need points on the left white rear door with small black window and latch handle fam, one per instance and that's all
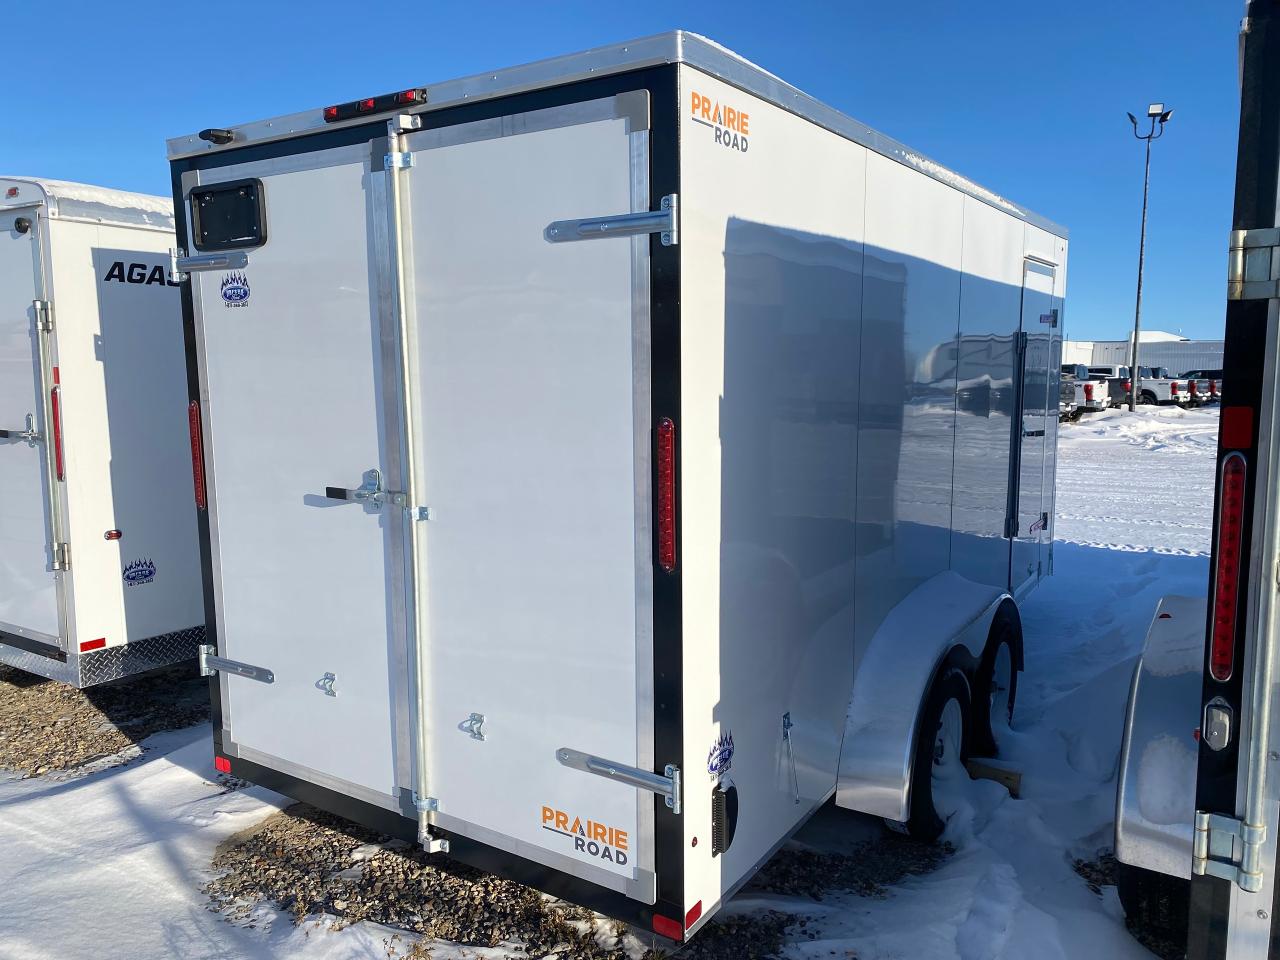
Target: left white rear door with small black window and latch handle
(296, 449)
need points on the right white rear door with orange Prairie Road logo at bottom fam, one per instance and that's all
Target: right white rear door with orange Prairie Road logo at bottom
(533, 413)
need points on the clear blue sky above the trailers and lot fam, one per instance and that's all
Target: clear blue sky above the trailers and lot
(1027, 99)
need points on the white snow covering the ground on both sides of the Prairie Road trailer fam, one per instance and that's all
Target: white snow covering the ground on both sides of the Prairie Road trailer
(111, 865)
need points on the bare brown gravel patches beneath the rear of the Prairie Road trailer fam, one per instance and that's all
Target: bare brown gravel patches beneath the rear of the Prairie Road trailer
(310, 863)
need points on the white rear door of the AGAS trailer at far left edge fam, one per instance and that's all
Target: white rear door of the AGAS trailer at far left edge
(29, 587)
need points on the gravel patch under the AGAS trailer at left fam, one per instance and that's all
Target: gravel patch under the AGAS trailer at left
(47, 728)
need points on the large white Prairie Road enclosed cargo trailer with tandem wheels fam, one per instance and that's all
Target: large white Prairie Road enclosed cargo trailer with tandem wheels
(610, 461)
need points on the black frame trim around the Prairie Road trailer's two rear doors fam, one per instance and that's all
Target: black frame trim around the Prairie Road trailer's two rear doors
(662, 84)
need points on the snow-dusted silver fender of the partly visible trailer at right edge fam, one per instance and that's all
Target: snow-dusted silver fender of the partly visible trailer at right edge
(1156, 789)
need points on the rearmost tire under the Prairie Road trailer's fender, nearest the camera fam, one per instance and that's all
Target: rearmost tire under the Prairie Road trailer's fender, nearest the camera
(941, 751)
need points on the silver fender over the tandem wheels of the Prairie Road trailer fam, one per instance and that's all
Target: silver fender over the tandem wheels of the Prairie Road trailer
(945, 620)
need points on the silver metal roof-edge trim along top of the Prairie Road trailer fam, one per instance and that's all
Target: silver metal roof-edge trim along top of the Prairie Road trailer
(675, 47)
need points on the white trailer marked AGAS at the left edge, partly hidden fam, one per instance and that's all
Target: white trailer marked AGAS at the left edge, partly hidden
(99, 552)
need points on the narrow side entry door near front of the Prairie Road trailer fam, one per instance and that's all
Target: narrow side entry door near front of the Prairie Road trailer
(1037, 404)
